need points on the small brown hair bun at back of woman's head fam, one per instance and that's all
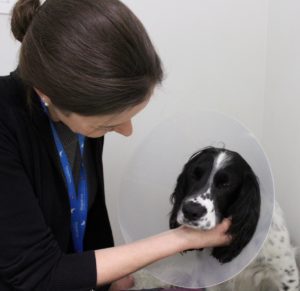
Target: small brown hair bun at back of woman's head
(22, 15)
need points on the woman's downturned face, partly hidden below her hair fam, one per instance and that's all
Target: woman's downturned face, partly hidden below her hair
(96, 126)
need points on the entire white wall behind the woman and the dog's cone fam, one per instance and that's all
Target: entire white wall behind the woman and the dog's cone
(215, 54)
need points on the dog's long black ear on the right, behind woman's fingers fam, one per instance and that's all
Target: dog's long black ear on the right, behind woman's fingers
(244, 213)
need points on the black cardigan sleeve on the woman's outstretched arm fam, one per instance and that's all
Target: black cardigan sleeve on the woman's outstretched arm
(30, 257)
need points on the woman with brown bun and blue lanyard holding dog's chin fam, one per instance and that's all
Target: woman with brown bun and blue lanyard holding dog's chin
(85, 68)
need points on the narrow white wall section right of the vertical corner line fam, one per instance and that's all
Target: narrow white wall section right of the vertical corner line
(281, 128)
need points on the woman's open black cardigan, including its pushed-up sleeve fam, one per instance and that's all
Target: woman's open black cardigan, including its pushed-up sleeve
(35, 235)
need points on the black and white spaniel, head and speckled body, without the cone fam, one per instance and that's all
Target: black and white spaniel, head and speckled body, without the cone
(217, 183)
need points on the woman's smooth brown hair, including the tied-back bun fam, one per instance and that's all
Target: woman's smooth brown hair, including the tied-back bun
(91, 57)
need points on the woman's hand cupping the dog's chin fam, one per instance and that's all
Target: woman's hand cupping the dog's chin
(208, 238)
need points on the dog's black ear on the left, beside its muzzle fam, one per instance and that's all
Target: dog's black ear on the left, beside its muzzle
(176, 198)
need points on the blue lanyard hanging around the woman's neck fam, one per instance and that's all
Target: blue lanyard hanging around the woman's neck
(78, 203)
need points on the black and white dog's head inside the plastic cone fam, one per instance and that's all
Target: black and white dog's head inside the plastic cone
(217, 183)
